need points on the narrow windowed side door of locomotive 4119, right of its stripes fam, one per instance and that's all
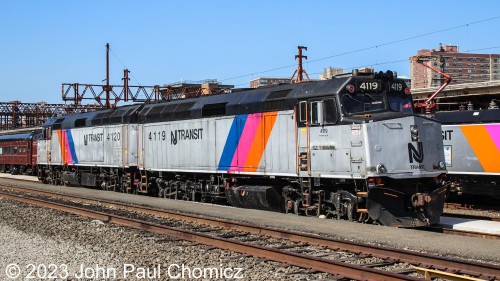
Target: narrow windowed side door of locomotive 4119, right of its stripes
(303, 163)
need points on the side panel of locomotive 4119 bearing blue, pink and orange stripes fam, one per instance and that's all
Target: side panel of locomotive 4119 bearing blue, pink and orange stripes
(260, 143)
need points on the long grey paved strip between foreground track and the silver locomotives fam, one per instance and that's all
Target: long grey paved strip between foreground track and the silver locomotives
(410, 239)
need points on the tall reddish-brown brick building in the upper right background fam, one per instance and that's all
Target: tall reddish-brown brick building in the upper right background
(462, 67)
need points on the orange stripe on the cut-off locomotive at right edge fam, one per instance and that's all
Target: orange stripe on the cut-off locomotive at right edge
(483, 146)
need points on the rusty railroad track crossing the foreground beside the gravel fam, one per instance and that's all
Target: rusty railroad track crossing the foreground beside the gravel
(303, 250)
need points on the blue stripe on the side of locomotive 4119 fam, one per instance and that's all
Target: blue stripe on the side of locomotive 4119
(232, 142)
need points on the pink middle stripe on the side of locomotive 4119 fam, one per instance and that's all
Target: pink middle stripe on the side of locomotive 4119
(245, 142)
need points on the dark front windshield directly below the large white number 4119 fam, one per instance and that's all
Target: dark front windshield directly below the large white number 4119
(363, 103)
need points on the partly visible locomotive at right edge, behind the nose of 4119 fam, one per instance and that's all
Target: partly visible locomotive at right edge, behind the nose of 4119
(472, 150)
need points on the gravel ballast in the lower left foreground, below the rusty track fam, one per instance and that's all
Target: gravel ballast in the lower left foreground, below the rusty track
(43, 241)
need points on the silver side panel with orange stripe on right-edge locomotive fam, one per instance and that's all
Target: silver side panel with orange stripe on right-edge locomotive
(472, 149)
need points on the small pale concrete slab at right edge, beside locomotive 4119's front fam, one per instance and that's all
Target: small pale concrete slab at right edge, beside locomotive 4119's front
(482, 226)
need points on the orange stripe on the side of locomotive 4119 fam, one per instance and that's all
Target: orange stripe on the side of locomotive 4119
(259, 142)
